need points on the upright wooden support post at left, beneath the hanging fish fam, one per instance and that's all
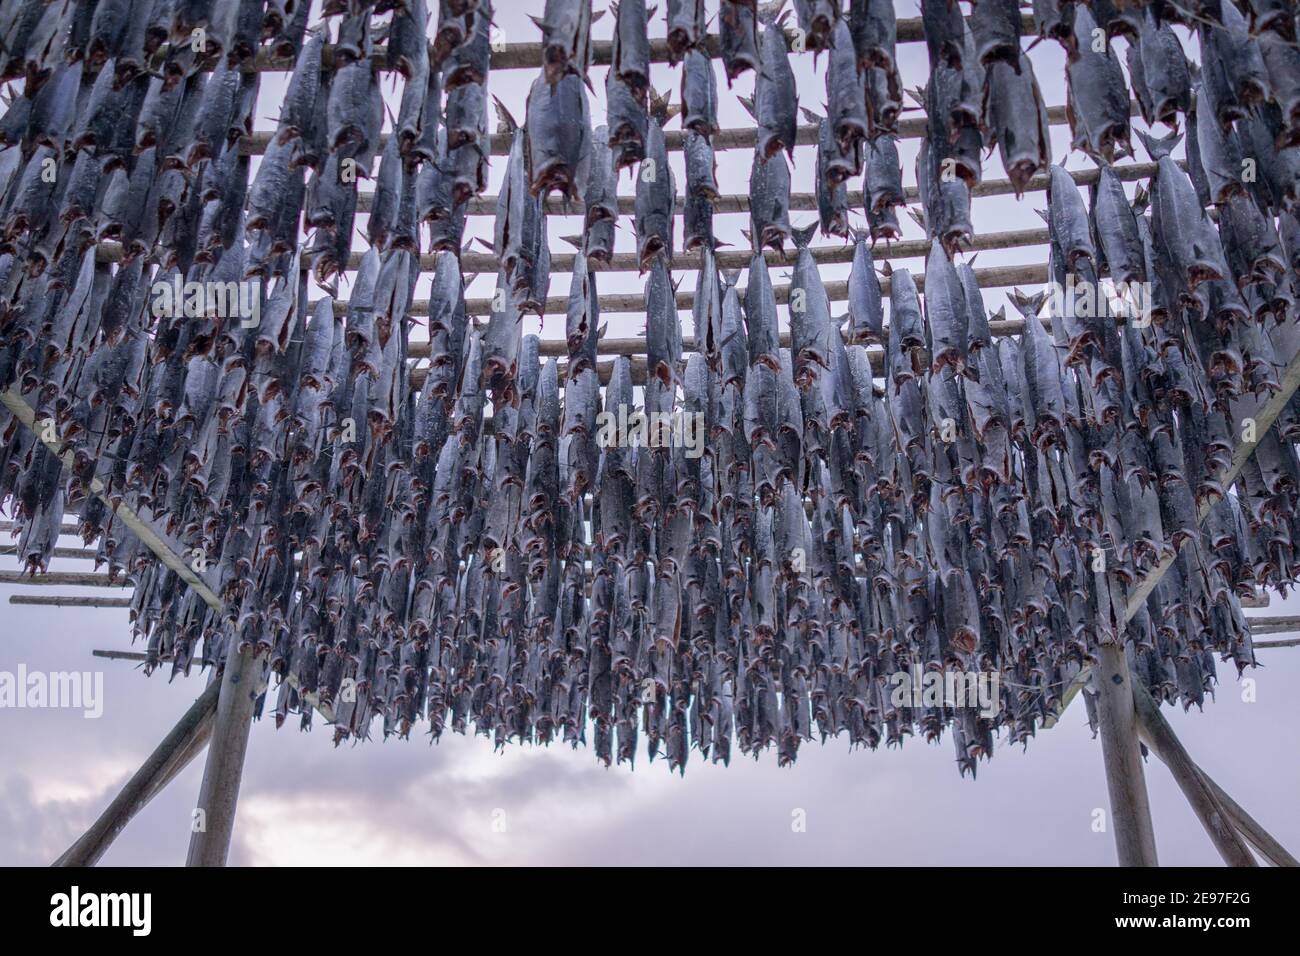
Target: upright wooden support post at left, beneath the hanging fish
(210, 843)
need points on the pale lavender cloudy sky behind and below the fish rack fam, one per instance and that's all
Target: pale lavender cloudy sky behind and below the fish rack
(463, 803)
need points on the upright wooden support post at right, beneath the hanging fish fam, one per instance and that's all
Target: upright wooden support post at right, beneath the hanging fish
(1130, 807)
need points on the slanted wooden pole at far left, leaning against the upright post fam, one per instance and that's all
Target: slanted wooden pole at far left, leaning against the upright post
(170, 759)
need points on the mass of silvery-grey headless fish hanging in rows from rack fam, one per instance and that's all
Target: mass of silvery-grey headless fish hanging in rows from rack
(402, 555)
